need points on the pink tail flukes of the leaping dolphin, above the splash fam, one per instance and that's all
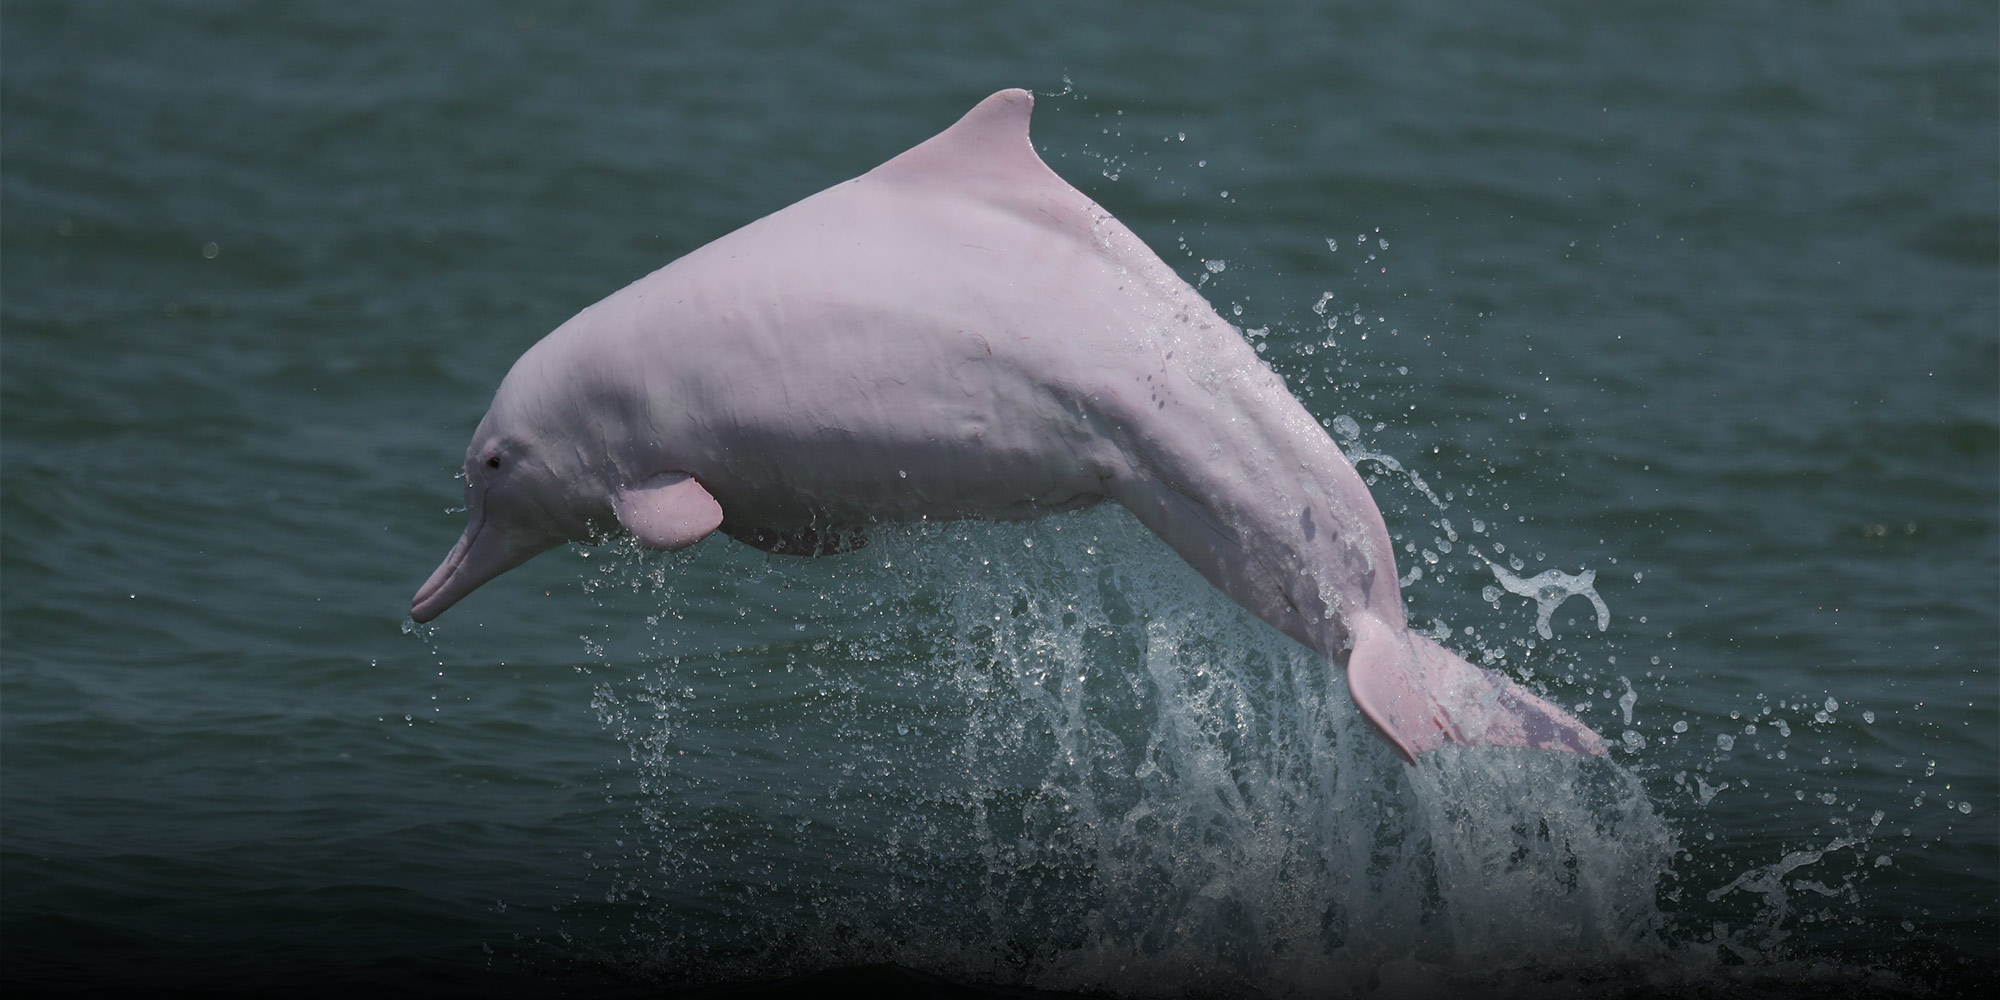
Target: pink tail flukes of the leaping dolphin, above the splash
(1421, 695)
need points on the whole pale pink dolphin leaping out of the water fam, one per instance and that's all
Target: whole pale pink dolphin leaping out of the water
(959, 335)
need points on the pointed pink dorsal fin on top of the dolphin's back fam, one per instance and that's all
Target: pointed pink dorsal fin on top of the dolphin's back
(987, 147)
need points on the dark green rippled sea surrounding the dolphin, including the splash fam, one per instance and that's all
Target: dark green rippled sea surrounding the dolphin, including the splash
(1697, 297)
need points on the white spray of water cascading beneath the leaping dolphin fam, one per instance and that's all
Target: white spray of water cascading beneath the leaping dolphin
(1085, 769)
